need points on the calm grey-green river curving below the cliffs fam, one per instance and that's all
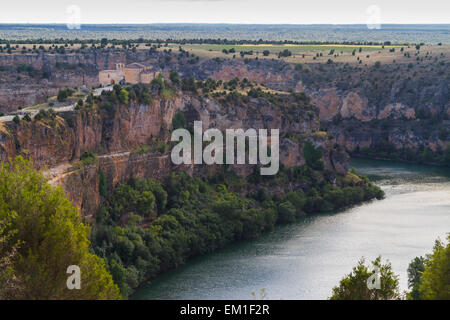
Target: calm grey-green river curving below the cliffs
(304, 260)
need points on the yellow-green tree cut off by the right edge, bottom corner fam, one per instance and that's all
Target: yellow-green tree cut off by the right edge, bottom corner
(435, 279)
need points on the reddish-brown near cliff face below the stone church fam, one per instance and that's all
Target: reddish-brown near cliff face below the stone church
(117, 138)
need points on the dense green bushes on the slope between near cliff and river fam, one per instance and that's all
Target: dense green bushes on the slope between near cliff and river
(147, 227)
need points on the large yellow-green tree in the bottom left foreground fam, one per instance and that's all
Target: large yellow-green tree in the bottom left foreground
(51, 235)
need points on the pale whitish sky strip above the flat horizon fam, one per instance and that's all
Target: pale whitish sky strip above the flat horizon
(227, 11)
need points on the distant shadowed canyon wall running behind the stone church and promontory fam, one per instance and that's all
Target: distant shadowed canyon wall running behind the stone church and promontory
(342, 93)
